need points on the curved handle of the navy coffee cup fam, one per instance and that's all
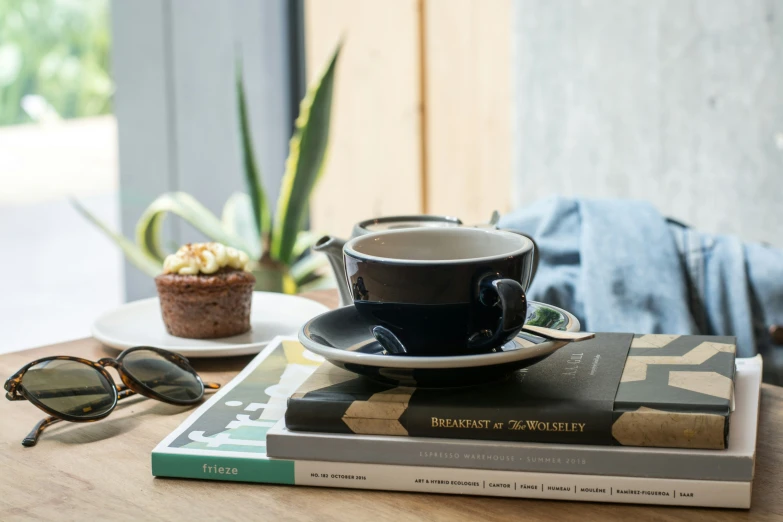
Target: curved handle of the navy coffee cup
(509, 296)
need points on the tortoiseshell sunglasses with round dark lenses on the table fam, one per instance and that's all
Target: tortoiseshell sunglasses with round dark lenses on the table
(78, 390)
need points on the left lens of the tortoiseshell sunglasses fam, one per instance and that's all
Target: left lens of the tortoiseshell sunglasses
(70, 387)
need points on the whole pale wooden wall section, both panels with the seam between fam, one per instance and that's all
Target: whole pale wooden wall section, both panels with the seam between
(421, 121)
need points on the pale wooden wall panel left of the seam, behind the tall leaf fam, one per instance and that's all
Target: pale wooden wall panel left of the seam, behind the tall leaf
(374, 161)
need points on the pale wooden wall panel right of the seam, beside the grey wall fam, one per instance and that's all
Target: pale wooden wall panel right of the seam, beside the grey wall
(468, 107)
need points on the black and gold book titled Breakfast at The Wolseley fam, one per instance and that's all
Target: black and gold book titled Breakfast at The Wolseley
(655, 390)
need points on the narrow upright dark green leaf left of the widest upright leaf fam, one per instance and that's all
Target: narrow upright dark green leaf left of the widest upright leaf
(255, 187)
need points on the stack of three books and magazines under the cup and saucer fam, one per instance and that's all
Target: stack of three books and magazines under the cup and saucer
(679, 428)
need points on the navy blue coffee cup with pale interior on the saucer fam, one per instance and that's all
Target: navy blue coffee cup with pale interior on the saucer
(440, 291)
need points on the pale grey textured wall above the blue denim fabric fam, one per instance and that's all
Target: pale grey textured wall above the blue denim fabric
(679, 102)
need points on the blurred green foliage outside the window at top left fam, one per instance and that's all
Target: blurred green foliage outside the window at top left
(54, 60)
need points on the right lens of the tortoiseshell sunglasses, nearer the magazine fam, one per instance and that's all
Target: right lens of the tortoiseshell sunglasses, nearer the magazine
(163, 376)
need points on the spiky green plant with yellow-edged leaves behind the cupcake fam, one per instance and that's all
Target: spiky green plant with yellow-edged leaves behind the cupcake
(278, 244)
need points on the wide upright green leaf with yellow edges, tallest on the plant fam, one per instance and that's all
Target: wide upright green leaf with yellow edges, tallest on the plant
(307, 151)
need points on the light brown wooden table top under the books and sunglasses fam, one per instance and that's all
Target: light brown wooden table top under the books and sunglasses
(101, 471)
